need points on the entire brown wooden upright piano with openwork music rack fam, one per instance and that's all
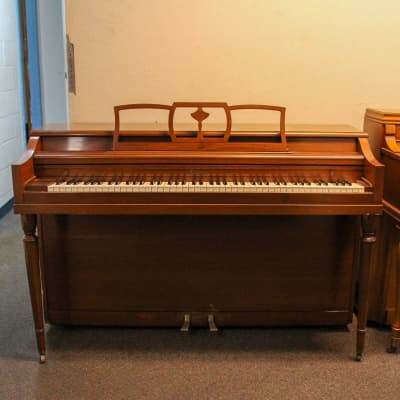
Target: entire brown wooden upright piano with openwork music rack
(244, 225)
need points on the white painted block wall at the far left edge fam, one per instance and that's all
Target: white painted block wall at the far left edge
(11, 131)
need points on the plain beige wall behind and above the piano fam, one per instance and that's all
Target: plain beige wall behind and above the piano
(326, 61)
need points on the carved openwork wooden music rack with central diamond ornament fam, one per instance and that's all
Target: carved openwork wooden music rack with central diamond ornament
(200, 139)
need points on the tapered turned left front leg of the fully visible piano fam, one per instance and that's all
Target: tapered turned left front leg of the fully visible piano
(34, 279)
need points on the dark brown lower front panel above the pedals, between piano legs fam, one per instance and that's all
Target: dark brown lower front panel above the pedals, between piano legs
(147, 270)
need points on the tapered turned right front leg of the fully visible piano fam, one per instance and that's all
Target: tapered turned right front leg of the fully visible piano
(368, 238)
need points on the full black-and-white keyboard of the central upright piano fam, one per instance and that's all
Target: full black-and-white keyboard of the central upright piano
(79, 185)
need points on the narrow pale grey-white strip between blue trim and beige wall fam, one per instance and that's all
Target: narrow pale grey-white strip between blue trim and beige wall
(51, 38)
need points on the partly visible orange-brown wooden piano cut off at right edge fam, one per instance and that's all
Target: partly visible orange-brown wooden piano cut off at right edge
(383, 127)
